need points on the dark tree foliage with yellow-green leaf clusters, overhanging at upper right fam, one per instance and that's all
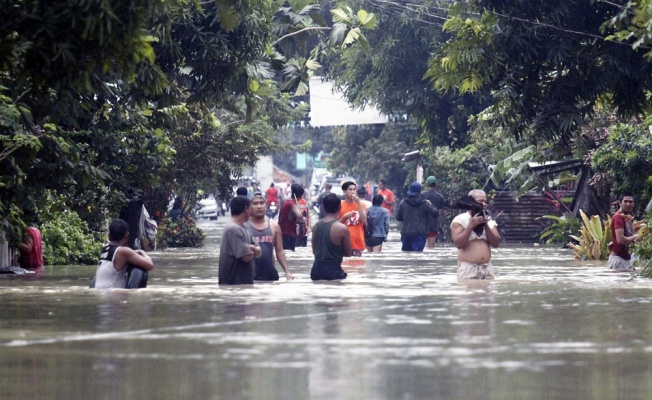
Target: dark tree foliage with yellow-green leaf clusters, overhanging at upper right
(546, 64)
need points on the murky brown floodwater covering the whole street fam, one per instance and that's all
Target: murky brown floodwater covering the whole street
(400, 327)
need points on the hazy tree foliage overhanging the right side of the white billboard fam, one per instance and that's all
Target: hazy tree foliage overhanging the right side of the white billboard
(390, 75)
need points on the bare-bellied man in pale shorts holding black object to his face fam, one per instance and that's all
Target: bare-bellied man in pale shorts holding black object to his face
(474, 233)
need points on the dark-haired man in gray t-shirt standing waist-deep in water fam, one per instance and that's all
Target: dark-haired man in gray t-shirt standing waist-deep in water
(238, 248)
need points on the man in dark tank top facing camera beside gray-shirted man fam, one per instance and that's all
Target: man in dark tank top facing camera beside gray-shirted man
(268, 236)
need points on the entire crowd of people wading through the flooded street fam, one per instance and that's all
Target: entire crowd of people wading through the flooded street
(252, 242)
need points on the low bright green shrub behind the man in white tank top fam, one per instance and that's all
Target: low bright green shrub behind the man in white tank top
(67, 239)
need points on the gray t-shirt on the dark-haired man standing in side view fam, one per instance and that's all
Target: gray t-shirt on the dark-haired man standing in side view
(235, 245)
